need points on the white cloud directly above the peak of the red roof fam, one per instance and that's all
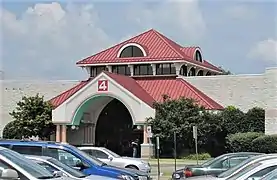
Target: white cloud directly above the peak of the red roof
(183, 16)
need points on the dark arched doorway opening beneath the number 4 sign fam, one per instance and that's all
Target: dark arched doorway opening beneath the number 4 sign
(115, 130)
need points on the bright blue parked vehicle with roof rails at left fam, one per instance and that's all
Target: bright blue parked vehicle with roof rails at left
(70, 156)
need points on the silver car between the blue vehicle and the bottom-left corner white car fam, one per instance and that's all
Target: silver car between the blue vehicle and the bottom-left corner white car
(56, 167)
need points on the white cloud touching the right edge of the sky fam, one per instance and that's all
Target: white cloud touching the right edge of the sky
(265, 50)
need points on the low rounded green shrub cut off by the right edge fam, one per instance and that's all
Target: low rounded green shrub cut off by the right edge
(265, 144)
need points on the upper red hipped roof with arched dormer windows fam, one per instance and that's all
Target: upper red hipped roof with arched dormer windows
(157, 46)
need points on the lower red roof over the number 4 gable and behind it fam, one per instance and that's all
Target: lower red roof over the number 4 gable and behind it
(149, 90)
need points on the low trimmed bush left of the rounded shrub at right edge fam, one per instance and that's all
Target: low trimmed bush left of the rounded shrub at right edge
(241, 142)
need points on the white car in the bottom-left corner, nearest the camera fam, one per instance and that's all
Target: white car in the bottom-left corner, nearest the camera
(15, 166)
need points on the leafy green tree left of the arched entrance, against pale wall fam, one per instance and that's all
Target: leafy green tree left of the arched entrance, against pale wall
(33, 117)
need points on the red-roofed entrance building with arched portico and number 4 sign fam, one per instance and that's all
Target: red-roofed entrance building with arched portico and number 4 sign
(110, 108)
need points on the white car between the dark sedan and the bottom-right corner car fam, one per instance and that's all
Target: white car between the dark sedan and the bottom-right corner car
(255, 170)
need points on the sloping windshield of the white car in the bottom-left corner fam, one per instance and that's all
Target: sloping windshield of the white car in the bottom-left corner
(27, 165)
